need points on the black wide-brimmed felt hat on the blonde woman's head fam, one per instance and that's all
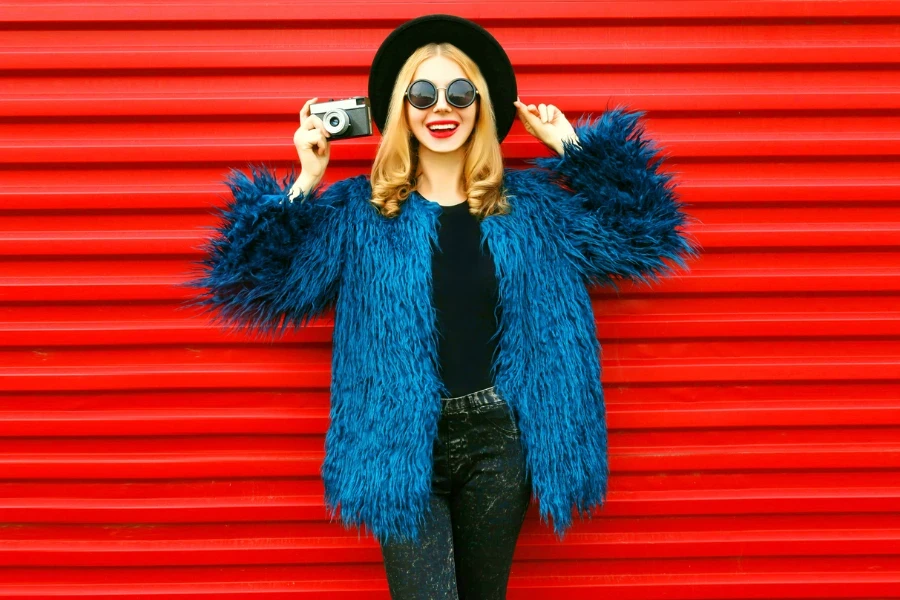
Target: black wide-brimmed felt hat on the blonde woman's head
(469, 37)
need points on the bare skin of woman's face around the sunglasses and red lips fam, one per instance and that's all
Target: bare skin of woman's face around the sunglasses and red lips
(441, 71)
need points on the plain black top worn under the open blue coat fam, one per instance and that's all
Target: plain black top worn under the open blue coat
(465, 298)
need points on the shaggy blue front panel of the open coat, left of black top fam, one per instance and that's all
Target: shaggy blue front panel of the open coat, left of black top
(386, 403)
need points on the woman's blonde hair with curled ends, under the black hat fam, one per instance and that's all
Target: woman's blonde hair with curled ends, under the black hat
(395, 168)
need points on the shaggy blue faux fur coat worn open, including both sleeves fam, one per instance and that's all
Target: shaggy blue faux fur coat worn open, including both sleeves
(600, 212)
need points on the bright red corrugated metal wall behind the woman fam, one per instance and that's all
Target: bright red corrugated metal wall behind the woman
(754, 403)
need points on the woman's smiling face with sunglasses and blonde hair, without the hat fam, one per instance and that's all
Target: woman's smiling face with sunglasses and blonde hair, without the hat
(439, 84)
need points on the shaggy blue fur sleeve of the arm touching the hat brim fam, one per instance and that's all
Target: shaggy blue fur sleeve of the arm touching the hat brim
(618, 210)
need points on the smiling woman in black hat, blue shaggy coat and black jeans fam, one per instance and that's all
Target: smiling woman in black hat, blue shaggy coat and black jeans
(465, 373)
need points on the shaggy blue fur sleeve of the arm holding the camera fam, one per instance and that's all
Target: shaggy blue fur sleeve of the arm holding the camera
(271, 261)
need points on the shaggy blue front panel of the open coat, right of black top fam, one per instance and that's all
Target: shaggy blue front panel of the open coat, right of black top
(548, 355)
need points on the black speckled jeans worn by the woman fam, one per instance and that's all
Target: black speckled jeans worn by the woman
(480, 494)
